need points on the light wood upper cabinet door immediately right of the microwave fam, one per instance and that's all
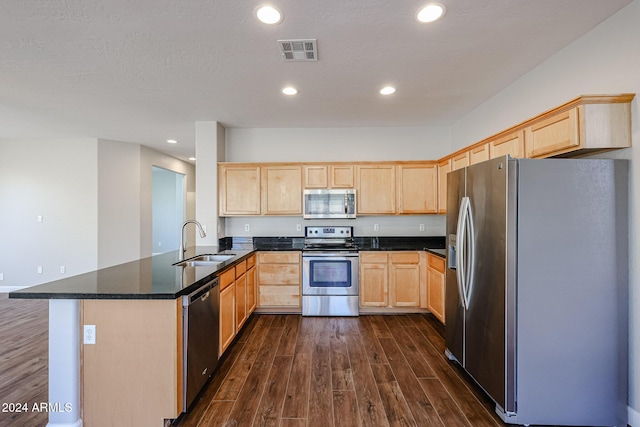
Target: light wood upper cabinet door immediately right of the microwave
(376, 186)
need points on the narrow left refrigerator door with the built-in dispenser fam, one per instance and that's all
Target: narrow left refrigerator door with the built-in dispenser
(454, 311)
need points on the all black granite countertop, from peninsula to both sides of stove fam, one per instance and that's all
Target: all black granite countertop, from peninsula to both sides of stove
(157, 278)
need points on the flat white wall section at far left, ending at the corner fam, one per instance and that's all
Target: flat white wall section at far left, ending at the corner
(55, 179)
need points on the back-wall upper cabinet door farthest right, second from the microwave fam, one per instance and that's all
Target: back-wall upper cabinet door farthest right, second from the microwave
(417, 189)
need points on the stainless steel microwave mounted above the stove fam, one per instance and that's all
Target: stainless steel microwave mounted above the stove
(334, 203)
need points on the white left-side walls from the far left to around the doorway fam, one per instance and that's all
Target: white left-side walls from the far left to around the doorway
(95, 200)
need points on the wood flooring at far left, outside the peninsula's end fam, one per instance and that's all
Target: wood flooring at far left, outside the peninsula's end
(24, 354)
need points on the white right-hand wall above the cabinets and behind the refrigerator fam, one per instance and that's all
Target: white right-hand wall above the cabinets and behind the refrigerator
(604, 61)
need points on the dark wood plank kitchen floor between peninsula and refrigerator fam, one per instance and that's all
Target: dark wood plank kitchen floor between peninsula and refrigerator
(290, 371)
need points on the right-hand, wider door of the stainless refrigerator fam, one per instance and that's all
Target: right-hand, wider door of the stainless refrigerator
(485, 318)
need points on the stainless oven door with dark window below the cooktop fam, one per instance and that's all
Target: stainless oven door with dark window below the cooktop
(329, 273)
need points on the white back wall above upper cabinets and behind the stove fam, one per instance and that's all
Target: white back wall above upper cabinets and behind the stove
(337, 144)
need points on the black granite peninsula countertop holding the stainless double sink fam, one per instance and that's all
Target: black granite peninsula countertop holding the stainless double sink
(149, 278)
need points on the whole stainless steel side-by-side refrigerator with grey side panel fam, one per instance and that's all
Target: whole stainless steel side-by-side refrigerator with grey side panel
(537, 285)
